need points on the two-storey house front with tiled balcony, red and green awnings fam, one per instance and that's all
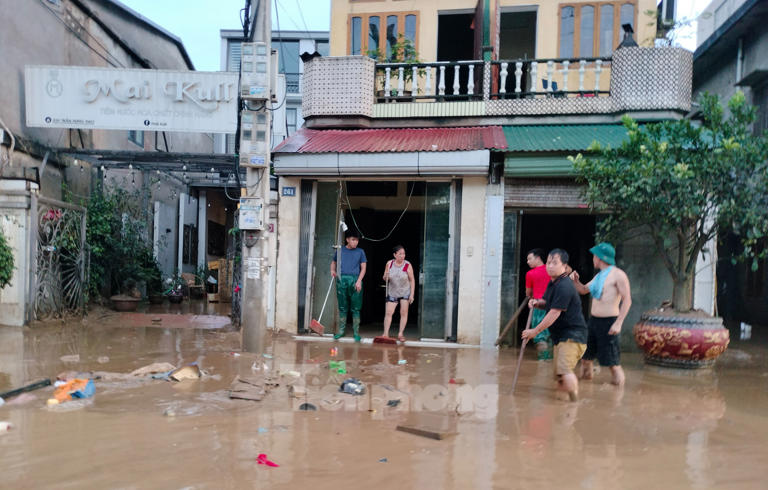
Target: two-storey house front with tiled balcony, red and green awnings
(458, 151)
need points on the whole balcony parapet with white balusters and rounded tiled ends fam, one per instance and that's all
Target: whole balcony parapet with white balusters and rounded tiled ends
(632, 79)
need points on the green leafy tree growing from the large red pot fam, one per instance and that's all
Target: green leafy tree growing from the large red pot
(685, 183)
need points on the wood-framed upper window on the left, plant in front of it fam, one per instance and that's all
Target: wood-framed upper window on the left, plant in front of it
(375, 34)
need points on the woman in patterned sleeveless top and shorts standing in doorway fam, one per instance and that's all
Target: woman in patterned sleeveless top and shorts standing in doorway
(401, 287)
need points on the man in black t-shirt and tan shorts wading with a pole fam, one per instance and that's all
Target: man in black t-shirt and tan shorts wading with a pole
(564, 320)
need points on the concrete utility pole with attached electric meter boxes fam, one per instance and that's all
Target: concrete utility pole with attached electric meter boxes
(255, 251)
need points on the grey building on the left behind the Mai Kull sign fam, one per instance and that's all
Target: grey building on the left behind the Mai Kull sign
(38, 163)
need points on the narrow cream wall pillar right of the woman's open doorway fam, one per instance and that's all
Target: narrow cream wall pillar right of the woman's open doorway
(471, 266)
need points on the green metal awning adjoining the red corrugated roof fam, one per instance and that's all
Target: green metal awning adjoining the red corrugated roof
(542, 151)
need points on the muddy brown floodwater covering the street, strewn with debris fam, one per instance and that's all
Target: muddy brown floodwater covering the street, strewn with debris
(663, 430)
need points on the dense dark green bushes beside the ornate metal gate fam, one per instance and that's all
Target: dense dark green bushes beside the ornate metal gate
(119, 242)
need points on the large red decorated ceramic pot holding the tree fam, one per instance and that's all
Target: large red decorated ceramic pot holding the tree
(689, 341)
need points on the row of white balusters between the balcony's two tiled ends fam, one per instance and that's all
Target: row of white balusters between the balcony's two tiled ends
(465, 80)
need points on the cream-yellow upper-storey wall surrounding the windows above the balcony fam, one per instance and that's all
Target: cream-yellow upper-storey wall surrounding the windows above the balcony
(548, 21)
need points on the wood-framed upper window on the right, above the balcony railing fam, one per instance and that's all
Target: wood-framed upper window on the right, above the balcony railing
(593, 29)
